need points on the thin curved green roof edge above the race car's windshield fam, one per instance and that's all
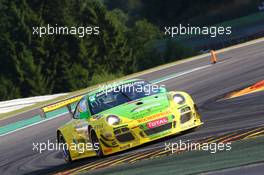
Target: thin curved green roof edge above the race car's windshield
(111, 85)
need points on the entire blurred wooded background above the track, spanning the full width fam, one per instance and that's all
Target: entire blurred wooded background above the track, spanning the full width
(131, 39)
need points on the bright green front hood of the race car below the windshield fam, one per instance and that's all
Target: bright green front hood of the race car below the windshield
(141, 107)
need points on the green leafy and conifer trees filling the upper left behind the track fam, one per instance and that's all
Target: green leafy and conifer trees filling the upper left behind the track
(32, 65)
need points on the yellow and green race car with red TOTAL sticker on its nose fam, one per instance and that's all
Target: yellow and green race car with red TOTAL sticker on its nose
(124, 115)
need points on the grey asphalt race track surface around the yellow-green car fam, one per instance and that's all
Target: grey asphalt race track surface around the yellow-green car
(236, 69)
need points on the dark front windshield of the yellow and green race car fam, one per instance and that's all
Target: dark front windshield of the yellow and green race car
(118, 95)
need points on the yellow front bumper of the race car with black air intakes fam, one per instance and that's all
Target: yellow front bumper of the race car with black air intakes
(138, 132)
